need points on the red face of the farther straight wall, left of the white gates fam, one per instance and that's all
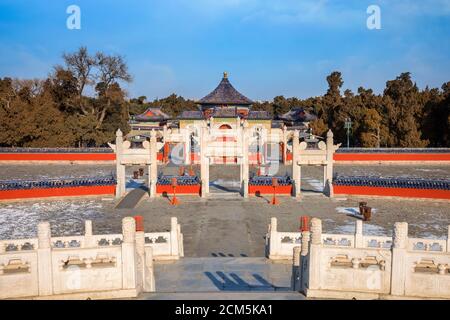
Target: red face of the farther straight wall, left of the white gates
(57, 157)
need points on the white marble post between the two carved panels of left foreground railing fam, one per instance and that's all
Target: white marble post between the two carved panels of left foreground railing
(44, 258)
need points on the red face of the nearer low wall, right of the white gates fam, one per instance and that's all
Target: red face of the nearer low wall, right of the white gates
(392, 192)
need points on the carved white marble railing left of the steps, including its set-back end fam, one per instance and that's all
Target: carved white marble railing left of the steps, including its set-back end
(81, 266)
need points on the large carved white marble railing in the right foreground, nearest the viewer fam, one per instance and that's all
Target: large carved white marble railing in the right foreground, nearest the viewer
(364, 266)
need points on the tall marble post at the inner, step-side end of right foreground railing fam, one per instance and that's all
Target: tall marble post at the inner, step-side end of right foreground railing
(313, 281)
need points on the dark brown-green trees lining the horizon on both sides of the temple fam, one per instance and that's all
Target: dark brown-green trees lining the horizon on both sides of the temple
(59, 112)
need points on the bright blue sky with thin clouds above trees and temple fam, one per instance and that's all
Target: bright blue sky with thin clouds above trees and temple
(268, 47)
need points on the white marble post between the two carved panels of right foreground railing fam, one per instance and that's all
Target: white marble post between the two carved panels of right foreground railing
(399, 251)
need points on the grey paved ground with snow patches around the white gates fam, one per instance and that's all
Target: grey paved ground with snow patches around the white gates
(231, 227)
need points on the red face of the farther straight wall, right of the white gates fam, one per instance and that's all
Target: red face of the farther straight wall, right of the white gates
(391, 157)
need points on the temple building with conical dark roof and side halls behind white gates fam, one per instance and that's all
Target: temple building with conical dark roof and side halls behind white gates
(225, 110)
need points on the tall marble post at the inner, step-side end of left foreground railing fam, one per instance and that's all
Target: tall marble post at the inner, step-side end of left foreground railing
(129, 269)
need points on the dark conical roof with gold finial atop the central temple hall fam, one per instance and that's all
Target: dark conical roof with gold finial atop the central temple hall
(225, 94)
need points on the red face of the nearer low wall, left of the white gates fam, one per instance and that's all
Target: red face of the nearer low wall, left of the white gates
(57, 192)
